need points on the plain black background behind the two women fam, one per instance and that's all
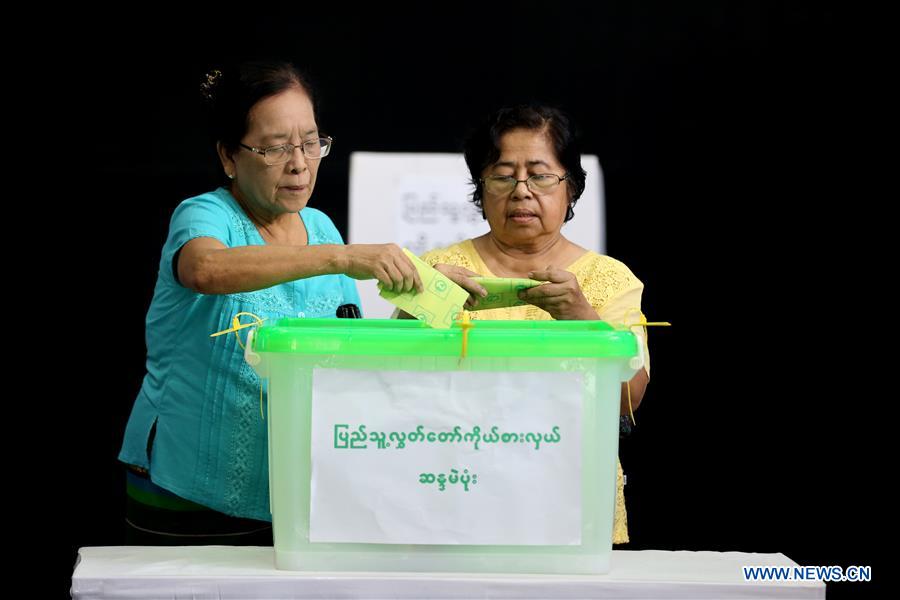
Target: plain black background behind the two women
(736, 189)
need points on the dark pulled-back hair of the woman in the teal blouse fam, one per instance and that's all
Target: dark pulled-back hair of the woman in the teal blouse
(230, 93)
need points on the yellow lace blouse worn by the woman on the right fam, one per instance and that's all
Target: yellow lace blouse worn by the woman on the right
(609, 286)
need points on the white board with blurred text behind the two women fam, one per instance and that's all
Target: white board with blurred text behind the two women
(423, 201)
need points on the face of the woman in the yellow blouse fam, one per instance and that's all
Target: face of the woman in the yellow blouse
(523, 216)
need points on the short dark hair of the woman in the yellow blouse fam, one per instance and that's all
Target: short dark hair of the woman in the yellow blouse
(482, 147)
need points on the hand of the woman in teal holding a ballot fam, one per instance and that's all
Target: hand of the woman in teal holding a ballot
(385, 262)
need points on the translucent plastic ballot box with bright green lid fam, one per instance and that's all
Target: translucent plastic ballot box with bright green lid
(289, 352)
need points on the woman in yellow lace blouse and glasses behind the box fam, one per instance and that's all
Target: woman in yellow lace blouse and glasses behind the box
(526, 168)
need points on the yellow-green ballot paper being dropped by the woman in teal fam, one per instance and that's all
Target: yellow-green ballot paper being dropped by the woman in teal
(438, 305)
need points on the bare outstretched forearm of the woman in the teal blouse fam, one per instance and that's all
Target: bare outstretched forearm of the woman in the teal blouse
(250, 268)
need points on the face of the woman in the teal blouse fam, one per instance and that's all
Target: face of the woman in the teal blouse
(276, 189)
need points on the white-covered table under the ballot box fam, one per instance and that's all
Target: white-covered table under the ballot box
(219, 572)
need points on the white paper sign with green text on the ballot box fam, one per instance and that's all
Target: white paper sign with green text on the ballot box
(375, 481)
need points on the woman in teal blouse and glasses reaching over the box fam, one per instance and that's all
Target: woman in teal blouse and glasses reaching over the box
(195, 444)
